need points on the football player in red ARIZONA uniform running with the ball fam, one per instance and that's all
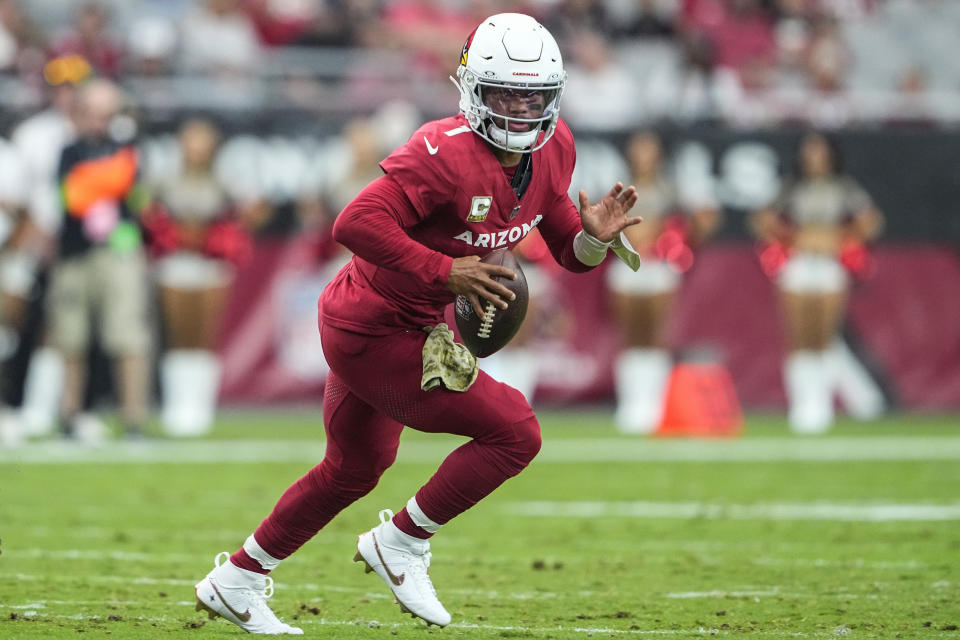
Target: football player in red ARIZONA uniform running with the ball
(496, 170)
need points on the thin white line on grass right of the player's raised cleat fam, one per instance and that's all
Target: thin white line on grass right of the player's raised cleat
(836, 511)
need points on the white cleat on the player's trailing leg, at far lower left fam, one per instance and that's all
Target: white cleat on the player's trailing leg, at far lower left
(245, 605)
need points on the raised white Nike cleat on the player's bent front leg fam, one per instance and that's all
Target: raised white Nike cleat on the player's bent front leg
(403, 562)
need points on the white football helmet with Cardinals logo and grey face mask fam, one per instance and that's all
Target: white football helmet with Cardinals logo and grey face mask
(511, 57)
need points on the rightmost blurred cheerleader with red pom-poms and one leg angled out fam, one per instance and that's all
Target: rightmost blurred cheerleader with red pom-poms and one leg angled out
(815, 233)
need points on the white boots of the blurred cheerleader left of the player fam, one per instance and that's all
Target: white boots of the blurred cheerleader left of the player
(190, 381)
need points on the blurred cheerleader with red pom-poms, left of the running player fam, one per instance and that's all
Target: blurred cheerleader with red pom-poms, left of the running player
(192, 232)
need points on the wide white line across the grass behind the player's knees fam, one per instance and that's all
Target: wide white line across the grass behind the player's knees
(606, 449)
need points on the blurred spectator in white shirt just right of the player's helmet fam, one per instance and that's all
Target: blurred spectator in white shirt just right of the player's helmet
(602, 95)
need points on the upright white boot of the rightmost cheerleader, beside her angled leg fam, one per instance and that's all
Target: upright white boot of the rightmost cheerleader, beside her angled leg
(809, 391)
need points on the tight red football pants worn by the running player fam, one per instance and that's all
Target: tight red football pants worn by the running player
(373, 389)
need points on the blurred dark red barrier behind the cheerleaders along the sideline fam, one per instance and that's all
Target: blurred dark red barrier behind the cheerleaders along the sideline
(905, 317)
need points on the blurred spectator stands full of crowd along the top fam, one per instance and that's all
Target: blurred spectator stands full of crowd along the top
(741, 62)
